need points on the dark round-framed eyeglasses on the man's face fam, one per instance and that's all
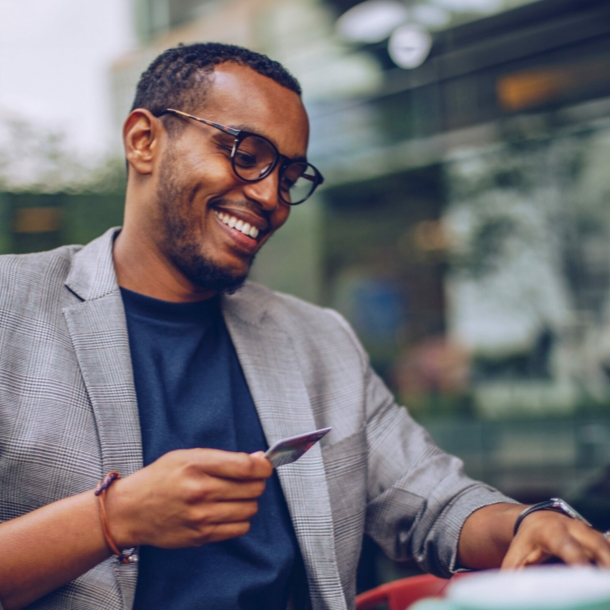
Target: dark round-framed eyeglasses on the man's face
(253, 158)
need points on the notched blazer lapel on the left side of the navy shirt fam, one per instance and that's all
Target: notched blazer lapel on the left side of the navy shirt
(98, 330)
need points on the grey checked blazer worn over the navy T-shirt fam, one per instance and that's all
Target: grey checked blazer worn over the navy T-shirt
(68, 414)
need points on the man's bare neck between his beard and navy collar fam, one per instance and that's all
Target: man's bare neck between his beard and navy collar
(142, 268)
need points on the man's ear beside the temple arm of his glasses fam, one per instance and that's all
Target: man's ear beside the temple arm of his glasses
(142, 134)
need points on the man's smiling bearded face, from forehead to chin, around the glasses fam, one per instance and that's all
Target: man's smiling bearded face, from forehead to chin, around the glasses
(201, 201)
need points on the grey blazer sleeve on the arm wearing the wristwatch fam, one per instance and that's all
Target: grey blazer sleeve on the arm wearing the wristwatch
(418, 496)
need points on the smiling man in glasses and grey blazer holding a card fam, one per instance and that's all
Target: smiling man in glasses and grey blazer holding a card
(133, 355)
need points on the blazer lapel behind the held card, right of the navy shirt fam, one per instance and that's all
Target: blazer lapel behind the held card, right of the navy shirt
(279, 393)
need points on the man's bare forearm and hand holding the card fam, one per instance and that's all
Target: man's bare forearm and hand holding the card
(185, 498)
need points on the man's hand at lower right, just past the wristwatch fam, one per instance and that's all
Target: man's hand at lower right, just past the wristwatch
(545, 534)
